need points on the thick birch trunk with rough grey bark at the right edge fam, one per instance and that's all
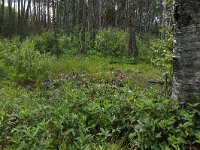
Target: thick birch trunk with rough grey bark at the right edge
(186, 58)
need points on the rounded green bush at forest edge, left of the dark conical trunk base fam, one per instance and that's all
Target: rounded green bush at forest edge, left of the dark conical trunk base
(112, 42)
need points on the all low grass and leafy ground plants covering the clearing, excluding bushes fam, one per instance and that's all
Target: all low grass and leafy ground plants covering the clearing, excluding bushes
(91, 103)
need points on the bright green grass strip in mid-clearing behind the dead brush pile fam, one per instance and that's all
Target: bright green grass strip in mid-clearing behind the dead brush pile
(102, 69)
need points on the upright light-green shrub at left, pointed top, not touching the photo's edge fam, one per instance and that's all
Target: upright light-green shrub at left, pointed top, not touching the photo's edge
(30, 65)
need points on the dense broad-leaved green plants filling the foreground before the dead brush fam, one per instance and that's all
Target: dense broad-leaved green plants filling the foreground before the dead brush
(85, 116)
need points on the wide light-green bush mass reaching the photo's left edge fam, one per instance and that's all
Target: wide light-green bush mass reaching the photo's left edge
(24, 63)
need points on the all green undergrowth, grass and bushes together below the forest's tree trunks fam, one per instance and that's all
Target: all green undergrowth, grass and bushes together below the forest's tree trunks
(93, 100)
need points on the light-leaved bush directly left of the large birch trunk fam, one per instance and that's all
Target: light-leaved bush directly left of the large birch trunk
(157, 52)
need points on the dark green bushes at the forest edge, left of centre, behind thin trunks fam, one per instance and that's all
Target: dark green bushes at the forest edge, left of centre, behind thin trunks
(69, 45)
